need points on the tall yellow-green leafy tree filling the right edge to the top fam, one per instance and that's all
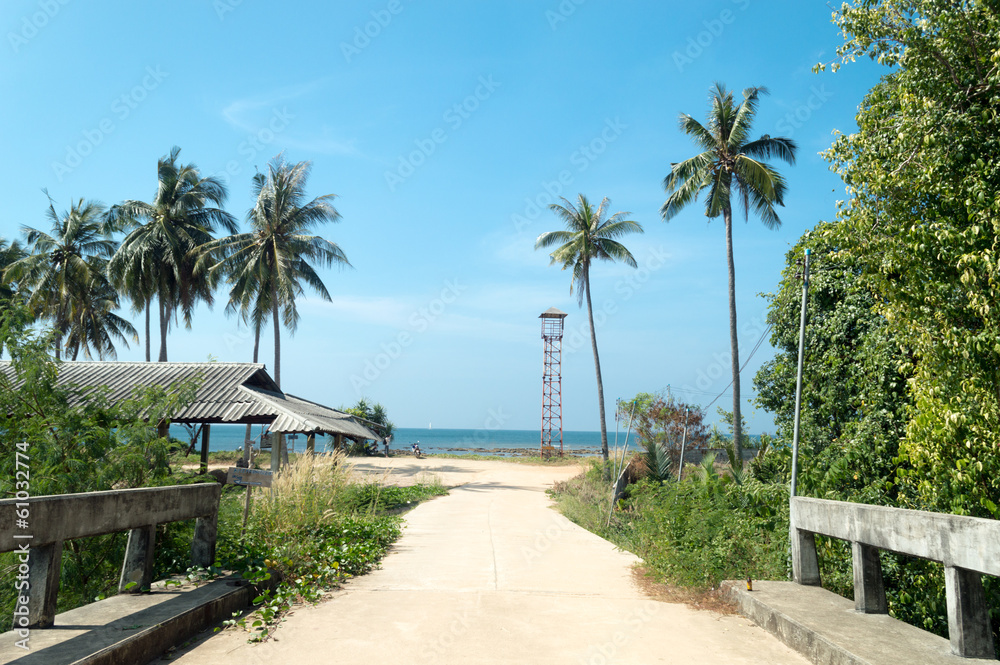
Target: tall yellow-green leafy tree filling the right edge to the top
(921, 229)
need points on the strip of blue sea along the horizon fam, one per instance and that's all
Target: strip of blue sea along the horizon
(496, 442)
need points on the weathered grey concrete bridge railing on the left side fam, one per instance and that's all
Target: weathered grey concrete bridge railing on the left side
(36, 528)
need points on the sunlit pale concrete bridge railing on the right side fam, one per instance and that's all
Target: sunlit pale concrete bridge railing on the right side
(969, 547)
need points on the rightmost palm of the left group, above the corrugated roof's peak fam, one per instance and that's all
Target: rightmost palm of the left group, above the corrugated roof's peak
(267, 266)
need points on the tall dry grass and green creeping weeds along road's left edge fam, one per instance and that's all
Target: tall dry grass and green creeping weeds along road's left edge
(314, 528)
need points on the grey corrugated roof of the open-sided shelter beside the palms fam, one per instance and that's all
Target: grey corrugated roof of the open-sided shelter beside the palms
(229, 393)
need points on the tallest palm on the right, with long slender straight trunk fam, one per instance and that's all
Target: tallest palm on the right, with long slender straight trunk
(730, 168)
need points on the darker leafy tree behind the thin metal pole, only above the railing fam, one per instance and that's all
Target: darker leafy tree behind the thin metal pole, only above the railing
(854, 400)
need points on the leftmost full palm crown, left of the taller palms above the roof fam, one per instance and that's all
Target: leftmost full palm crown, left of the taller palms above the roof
(59, 267)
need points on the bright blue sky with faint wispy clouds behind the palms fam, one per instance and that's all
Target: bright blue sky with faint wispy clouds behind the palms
(445, 129)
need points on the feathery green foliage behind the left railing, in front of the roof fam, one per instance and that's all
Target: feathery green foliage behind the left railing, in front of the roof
(75, 445)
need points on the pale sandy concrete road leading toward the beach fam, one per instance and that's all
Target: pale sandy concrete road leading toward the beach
(492, 574)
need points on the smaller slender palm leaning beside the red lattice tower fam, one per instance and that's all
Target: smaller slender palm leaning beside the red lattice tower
(589, 236)
